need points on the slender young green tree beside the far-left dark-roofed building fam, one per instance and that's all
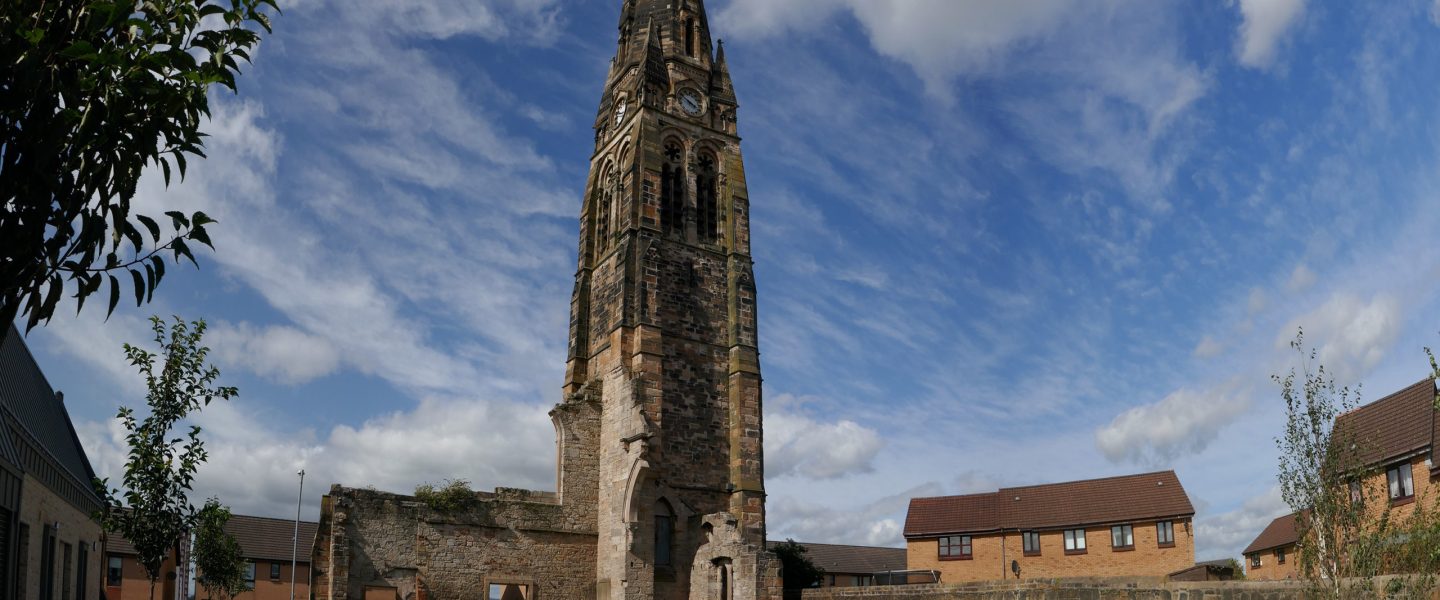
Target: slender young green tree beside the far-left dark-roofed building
(153, 510)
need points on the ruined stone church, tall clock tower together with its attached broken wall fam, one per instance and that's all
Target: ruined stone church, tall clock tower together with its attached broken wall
(662, 470)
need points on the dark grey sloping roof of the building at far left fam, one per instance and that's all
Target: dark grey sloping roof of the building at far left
(38, 415)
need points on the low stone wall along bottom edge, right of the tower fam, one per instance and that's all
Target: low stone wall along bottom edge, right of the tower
(1086, 589)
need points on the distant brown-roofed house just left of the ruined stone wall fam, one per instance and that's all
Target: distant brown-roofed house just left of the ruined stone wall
(267, 546)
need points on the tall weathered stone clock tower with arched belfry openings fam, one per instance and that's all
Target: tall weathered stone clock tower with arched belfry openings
(663, 320)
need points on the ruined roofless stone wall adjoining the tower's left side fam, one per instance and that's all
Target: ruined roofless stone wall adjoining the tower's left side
(372, 543)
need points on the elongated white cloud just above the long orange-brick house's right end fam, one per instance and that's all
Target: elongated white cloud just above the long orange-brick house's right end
(1184, 422)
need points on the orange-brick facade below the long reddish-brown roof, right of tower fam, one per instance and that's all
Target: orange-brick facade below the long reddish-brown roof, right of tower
(993, 555)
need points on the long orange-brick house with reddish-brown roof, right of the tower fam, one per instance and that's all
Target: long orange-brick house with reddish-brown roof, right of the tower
(1128, 526)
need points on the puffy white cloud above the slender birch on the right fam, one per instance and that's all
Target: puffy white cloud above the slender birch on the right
(1350, 335)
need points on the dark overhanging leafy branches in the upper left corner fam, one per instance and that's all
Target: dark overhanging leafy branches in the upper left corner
(93, 94)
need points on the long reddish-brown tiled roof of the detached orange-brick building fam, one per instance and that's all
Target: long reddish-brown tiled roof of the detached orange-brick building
(1053, 506)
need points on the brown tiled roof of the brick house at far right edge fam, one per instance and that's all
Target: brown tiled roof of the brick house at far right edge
(1398, 425)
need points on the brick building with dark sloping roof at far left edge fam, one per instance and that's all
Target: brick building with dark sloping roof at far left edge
(50, 545)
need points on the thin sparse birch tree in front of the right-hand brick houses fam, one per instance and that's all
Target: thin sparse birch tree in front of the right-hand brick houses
(1318, 467)
